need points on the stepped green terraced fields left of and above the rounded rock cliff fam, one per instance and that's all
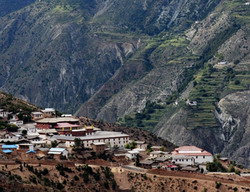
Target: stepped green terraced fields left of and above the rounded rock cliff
(210, 87)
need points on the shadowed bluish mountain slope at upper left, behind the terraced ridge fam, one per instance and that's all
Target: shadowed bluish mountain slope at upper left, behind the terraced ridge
(71, 48)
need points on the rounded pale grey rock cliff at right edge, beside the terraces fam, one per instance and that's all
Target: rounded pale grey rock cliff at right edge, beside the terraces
(234, 117)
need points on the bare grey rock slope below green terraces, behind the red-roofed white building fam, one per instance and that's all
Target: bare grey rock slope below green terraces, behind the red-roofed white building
(174, 129)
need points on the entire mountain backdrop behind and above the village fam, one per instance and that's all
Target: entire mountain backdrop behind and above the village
(120, 59)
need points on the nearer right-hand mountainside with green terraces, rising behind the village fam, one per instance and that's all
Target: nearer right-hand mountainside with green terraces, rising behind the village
(222, 36)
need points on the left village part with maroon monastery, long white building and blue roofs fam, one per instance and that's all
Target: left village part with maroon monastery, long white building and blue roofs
(36, 139)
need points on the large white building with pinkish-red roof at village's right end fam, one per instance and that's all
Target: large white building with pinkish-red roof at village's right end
(197, 154)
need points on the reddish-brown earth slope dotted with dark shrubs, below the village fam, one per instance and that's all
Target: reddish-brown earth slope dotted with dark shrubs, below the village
(68, 177)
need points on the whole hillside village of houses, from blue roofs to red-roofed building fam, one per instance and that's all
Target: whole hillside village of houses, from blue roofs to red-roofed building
(35, 140)
